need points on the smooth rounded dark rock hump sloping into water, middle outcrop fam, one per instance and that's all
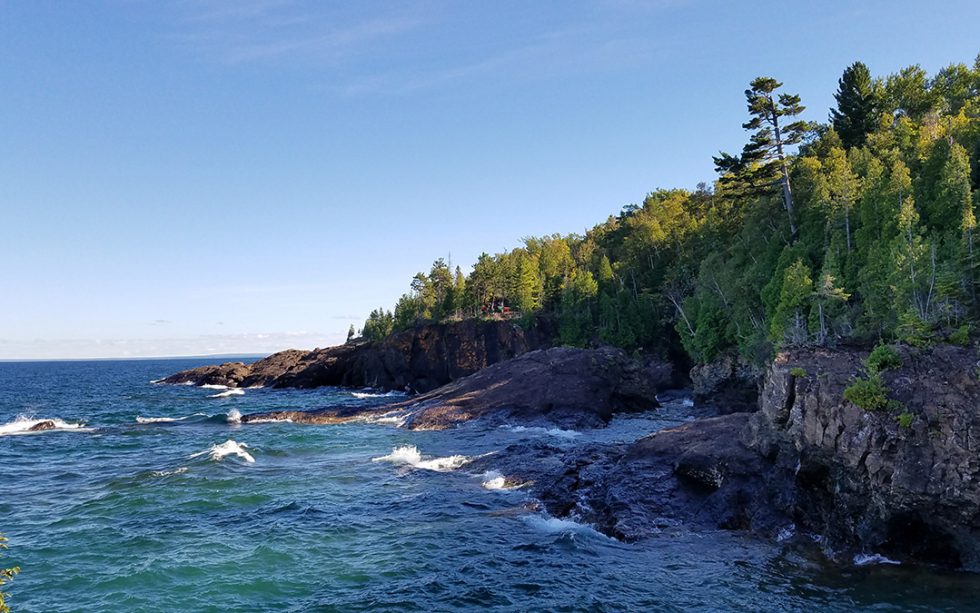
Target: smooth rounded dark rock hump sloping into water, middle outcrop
(580, 388)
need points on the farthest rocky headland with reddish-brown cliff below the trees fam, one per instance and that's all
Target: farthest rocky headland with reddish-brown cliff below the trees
(420, 359)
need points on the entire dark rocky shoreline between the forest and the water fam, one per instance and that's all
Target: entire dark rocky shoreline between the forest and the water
(779, 454)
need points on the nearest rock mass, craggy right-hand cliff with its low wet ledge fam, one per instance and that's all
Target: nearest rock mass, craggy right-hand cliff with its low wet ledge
(860, 481)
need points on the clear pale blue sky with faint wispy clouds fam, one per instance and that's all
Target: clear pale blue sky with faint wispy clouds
(193, 177)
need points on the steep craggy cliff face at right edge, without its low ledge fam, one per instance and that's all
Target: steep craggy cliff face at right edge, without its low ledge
(864, 480)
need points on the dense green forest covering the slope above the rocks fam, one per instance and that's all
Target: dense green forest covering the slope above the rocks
(856, 230)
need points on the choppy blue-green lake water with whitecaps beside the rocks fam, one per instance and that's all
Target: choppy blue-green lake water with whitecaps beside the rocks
(128, 516)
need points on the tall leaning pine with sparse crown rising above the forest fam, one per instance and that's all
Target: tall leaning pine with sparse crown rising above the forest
(763, 161)
